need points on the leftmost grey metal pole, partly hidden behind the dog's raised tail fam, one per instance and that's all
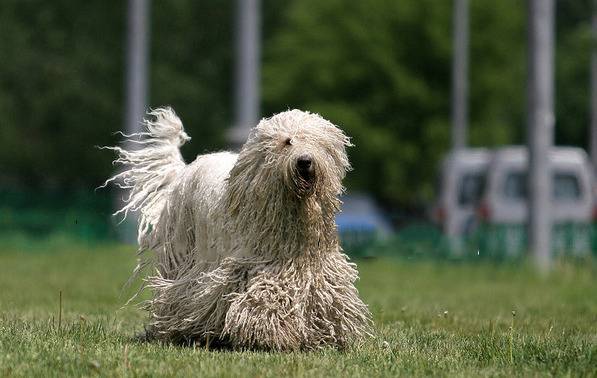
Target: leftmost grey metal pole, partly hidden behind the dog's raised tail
(136, 88)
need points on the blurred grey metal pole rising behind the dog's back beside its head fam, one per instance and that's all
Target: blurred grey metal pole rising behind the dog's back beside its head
(247, 71)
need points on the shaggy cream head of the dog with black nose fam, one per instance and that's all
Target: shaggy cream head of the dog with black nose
(300, 150)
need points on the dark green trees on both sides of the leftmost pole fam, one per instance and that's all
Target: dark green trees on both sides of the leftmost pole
(62, 83)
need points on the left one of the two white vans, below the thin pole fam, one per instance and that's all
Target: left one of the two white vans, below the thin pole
(461, 183)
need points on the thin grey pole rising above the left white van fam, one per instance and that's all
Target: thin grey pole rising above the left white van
(460, 74)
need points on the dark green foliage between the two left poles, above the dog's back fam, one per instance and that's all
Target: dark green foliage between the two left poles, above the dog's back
(191, 68)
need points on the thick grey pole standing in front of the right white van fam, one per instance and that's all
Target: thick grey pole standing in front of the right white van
(540, 120)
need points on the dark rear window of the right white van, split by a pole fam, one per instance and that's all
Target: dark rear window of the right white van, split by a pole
(565, 186)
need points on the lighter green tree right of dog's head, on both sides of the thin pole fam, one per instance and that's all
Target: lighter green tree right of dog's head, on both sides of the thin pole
(381, 70)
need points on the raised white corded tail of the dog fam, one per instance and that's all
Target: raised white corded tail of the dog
(151, 168)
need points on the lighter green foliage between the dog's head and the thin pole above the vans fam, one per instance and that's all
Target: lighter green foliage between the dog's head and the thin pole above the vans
(379, 70)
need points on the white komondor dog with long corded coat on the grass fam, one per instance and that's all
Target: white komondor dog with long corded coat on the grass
(244, 247)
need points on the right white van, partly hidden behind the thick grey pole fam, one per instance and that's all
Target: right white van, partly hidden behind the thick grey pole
(503, 210)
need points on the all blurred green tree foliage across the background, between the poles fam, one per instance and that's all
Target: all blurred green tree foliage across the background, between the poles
(379, 68)
